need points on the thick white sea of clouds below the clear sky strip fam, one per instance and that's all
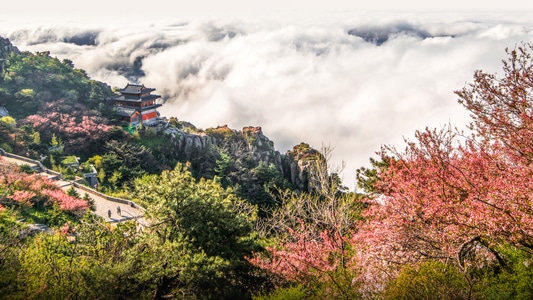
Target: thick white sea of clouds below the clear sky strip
(300, 81)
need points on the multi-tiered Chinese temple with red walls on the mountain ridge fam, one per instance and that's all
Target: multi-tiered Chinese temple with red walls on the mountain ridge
(136, 104)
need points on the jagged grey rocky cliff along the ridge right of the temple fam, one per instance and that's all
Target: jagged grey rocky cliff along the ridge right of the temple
(250, 144)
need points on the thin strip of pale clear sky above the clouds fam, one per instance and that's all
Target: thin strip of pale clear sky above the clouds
(98, 10)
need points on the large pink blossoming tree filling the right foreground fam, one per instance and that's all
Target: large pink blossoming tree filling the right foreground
(448, 196)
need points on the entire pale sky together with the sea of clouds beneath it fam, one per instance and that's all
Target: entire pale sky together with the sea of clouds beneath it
(350, 76)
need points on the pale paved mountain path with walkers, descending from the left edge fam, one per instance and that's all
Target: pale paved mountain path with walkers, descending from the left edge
(113, 210)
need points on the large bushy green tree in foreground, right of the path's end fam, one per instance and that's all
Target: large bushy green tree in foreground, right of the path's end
(203, 234)
